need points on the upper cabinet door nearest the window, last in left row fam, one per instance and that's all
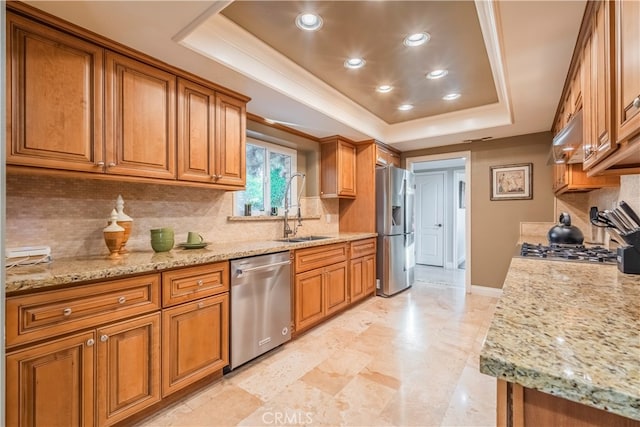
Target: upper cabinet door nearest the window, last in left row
(231, 127)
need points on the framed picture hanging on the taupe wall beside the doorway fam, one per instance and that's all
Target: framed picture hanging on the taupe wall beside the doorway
(512, 182)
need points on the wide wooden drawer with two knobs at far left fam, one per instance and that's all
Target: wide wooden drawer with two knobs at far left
(41, 315)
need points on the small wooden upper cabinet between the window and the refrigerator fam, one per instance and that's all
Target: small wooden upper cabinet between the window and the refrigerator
(337, 168)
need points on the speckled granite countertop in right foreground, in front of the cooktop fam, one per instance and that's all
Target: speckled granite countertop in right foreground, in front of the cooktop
(569, 329)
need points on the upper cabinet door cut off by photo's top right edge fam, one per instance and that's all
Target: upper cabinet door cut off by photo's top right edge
(628, 69)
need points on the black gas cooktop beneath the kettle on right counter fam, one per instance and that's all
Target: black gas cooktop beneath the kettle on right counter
(580, 253)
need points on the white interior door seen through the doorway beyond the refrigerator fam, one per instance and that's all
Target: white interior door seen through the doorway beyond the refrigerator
(430, 218)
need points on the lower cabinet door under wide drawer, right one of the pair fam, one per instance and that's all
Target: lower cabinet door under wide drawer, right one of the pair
(128, 368)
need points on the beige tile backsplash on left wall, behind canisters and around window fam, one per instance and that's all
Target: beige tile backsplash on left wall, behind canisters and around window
(69, 214)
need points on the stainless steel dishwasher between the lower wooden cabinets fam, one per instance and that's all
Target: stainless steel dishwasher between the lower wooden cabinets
(260, 305)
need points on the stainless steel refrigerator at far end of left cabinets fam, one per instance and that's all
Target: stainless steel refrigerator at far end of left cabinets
(395, 196)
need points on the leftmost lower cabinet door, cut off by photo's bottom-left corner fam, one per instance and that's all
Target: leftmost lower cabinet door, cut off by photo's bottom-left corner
(52, 384)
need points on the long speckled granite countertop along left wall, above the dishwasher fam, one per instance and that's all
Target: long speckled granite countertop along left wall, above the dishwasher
(76, 270)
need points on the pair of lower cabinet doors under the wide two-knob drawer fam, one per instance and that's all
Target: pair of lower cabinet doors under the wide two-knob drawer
(114, 369)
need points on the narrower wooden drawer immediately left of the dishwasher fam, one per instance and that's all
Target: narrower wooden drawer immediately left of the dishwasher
(188, 284)
